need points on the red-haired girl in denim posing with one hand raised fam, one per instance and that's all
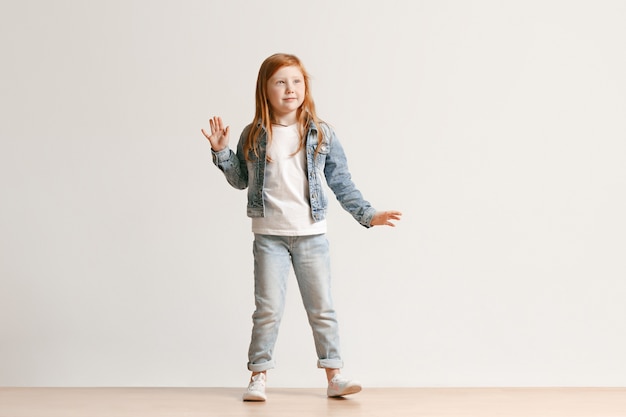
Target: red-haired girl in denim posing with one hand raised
(282, 157)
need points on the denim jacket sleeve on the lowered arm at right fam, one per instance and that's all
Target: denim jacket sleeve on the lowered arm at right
(340, 182)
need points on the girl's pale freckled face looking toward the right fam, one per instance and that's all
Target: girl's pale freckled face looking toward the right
(285, 92)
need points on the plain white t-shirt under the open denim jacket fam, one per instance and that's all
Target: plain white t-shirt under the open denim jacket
(286, 189)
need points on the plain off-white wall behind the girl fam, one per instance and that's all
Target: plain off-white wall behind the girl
(496, 127)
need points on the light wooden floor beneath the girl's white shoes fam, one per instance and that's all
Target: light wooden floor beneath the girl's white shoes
(374, 402)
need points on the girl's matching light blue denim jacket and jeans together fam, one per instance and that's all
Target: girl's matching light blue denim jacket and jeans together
(309, 255)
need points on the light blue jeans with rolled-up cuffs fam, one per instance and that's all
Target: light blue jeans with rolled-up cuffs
(310, 258)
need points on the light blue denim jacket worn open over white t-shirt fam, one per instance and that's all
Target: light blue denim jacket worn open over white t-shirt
(330, 163)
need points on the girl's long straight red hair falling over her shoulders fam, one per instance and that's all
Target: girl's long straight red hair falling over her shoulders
(263, 111)
